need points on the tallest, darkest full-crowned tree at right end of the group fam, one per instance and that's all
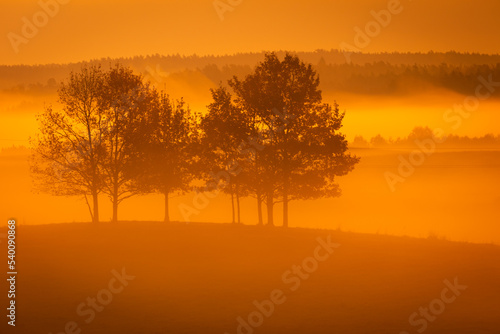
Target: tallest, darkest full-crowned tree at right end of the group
(300, 149)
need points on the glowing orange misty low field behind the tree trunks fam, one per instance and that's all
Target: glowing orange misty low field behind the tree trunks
(454, 194)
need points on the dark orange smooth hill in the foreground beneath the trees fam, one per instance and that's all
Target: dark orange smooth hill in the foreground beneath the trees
(217, 278)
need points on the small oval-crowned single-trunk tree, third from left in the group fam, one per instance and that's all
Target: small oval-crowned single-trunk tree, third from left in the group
(164, 147)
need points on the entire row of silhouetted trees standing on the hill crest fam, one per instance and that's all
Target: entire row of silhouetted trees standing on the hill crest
(269, 132)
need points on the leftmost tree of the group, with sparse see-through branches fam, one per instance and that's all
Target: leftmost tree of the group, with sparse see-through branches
(69, 150)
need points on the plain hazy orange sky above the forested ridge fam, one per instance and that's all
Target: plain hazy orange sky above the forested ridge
(83, 30)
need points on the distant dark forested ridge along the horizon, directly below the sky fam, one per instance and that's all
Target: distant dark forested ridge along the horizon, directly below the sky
(381, 73)
